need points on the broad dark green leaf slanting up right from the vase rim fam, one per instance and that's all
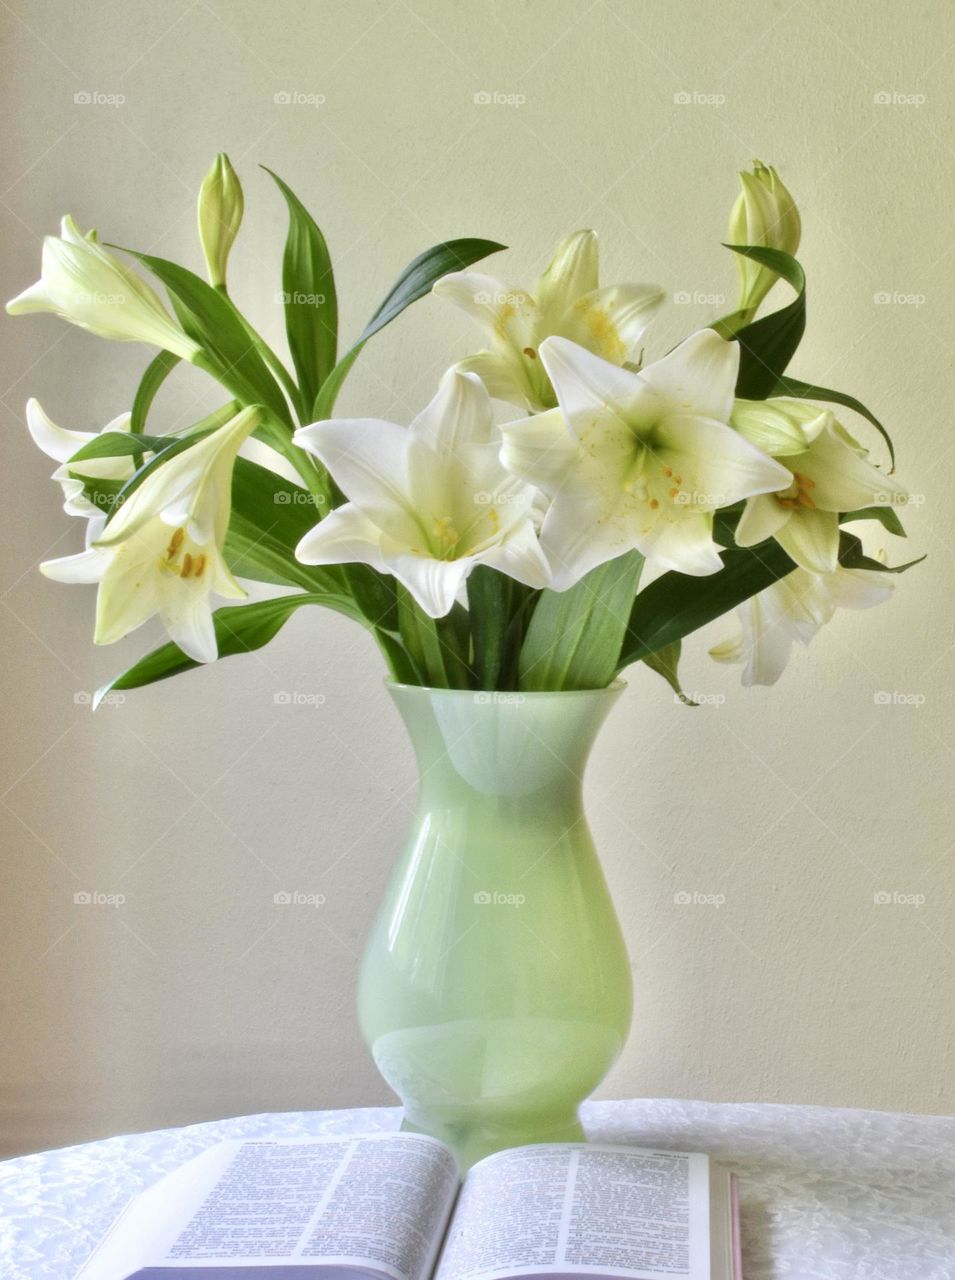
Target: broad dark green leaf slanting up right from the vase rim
(675, 605)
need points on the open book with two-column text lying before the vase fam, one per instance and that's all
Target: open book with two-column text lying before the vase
(395, 1208)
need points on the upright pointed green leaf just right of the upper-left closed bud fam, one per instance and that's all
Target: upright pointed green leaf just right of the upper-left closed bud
(312, 308)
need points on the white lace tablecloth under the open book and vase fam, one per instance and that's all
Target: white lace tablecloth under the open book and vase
(826, 1195)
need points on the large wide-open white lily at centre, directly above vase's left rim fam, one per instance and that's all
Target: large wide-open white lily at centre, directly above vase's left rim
(427, 502)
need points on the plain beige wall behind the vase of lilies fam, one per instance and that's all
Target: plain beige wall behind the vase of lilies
(200, 799)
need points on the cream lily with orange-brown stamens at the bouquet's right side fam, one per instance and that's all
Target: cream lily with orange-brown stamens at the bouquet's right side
(829, 474)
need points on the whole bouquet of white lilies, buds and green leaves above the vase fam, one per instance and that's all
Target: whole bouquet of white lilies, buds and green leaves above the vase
(483, 548)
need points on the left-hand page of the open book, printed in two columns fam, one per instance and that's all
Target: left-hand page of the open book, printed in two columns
(380, 1205)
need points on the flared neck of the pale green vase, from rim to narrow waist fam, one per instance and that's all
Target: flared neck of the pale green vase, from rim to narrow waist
(502, 744)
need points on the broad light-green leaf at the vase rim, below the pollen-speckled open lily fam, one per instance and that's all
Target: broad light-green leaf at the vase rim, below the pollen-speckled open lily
(574, 638)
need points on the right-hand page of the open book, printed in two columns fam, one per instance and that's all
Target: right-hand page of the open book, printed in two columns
(569, 1209)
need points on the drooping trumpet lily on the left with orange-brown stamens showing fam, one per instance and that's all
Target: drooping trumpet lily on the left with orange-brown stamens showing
(162, 552)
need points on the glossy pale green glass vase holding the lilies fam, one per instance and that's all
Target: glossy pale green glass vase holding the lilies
(496, 990)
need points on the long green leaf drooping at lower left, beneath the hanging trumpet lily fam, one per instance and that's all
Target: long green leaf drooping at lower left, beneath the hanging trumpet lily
(239, 629)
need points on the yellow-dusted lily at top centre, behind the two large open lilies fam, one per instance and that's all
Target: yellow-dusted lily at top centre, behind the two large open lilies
(610, 322)
